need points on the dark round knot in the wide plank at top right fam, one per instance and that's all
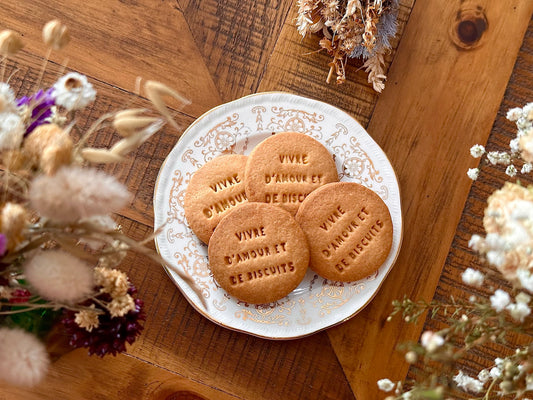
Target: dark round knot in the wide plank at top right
(468, 28)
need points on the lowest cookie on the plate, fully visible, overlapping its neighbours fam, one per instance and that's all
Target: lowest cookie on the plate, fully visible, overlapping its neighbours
(258, 253)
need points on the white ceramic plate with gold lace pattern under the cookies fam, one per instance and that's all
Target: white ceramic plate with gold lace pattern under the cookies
(237, 127)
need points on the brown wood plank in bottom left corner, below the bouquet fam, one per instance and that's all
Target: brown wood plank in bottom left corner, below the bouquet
(123, 377)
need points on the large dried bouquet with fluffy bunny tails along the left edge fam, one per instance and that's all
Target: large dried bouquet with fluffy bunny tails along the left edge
(59, 246)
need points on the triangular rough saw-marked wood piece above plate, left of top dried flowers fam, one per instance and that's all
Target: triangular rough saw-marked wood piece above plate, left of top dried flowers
(236, 38)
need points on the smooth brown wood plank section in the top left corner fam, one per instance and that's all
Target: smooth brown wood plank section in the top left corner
(117, 41)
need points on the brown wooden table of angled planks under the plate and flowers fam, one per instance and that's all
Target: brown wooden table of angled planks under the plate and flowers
(442, 96)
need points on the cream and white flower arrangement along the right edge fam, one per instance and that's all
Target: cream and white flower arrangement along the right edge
(507, 248)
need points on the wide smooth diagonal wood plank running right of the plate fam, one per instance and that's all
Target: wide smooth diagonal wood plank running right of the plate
(437, 87)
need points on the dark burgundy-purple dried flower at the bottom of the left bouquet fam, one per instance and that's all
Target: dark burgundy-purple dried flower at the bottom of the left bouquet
(112, 334)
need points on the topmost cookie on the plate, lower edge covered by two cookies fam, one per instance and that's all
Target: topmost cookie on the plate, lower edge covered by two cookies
(284, 168)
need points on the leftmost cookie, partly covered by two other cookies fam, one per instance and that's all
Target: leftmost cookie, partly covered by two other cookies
(213, 191)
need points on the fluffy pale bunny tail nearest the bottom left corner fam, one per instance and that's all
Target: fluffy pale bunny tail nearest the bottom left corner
(24, 360)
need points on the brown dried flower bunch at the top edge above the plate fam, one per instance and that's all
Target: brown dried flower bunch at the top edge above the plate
(352, 29)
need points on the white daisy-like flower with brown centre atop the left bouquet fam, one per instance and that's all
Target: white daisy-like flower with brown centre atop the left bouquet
(73, 91)
